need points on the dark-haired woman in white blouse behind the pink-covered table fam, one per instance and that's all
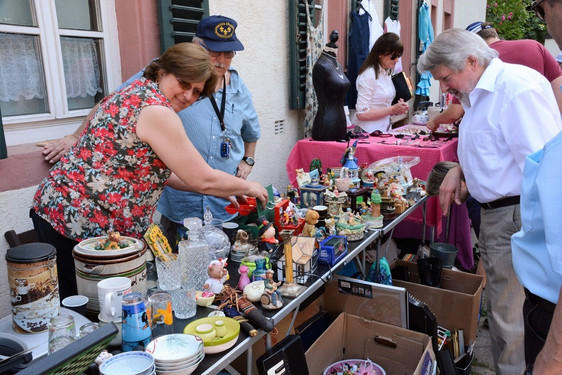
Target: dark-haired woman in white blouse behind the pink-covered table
(375, 90)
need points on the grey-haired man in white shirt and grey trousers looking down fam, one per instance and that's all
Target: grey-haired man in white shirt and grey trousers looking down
(510, 112)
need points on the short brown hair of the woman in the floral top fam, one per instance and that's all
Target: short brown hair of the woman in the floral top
(187, 61)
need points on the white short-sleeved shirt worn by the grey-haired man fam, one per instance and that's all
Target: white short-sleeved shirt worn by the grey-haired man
(510, 114)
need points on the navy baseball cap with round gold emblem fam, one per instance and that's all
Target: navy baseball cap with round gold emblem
(219, 34)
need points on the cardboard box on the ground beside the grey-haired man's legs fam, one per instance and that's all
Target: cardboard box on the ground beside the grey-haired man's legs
(456, 304)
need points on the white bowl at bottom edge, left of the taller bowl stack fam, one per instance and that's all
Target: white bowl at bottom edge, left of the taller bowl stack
(129, 363)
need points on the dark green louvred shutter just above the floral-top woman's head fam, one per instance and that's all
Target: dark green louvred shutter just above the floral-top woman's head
(178, 20)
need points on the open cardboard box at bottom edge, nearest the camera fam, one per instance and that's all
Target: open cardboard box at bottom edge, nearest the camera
(396, 350)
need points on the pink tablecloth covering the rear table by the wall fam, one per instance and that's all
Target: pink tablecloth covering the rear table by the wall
(372, 149)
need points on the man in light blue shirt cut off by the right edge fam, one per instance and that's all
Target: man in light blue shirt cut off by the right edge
(537, 248)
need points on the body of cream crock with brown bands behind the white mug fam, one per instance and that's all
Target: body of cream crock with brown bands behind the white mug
(91, 269)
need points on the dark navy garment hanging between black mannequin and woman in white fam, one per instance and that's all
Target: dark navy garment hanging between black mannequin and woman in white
(358, 51)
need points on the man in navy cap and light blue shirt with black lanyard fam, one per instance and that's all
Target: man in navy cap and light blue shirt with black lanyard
(225, 132)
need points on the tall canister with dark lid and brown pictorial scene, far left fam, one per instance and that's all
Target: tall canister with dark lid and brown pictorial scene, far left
(33, 282)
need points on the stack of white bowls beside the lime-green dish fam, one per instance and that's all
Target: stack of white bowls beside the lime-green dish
(176, 354)
